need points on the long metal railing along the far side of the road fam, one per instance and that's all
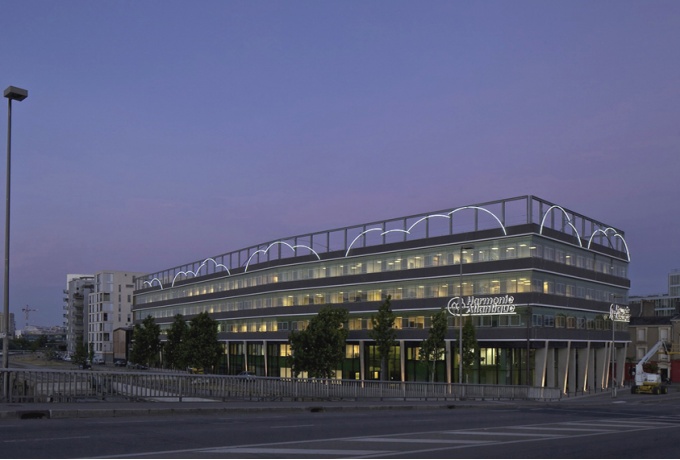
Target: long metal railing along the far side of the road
(30, 385)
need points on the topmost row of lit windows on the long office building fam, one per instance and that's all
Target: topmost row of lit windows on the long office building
(511, 248)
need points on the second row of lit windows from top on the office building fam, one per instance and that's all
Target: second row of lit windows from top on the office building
(495, 284)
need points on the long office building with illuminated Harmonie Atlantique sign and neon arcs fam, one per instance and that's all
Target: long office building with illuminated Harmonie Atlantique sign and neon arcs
(536, 278)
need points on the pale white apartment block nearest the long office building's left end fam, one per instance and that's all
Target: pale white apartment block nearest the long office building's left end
(109, 308)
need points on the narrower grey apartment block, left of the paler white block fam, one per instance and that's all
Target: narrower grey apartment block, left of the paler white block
(76, 297)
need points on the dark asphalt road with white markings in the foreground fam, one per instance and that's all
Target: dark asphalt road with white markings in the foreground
(634, 426)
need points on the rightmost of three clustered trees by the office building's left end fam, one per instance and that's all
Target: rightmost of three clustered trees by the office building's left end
(201, 347)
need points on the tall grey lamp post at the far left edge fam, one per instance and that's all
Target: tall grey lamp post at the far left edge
(12, 93)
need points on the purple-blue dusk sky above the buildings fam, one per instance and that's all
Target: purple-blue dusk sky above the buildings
(157, 133)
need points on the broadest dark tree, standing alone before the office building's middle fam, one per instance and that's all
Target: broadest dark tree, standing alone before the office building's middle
(320, 348)
